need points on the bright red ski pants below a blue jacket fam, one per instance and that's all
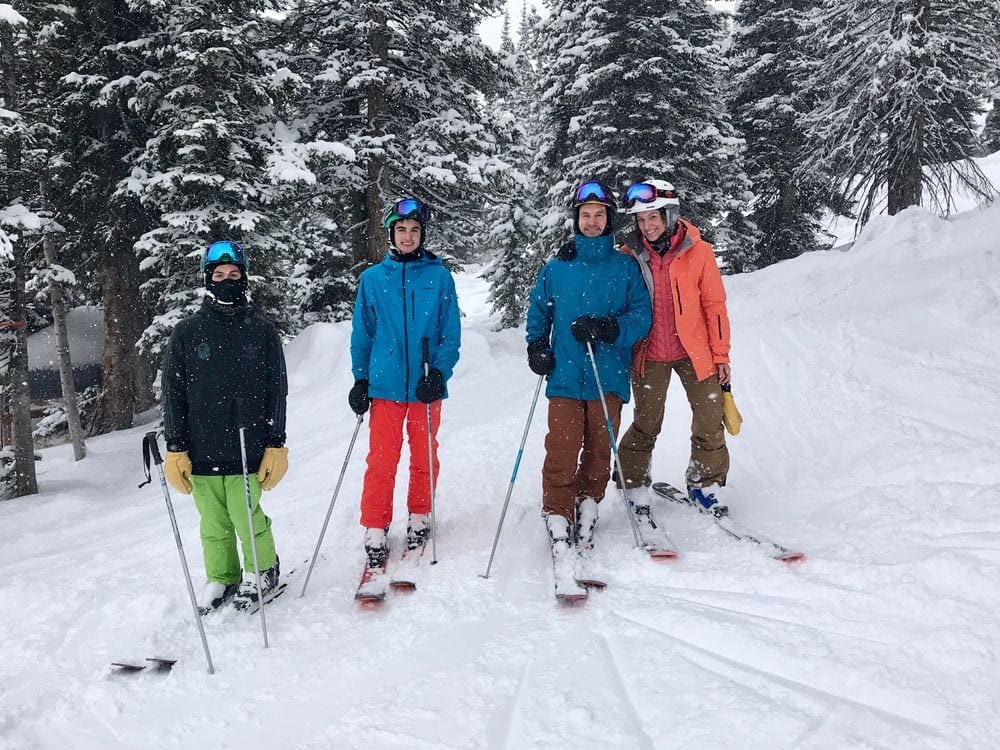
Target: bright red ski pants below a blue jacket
(384, 447)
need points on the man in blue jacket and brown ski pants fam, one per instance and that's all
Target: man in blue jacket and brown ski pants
(592, 293)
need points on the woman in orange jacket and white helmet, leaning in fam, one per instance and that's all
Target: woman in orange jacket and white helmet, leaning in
(689, 336)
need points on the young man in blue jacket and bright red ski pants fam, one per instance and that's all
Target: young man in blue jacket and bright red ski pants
(407, 298)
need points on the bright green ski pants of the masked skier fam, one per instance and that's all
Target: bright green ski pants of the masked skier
(221, 501)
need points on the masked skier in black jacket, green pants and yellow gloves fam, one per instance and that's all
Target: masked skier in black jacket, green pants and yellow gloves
(225, 352)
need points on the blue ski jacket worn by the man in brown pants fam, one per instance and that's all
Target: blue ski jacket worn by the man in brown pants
(589, 276)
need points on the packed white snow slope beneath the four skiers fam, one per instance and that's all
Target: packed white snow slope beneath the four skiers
(867, 380)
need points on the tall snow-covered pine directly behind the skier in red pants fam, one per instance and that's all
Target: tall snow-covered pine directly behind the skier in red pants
(399, 97)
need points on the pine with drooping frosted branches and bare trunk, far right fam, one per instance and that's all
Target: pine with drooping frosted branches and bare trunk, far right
(901, 83)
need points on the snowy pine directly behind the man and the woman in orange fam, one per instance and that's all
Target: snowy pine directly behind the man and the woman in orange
(632, 90)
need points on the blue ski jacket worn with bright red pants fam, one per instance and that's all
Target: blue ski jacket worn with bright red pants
(399, 303)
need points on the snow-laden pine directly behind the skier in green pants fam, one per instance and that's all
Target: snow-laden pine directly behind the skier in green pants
(202, 174)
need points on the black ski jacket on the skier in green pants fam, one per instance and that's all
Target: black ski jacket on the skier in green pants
(214, 358)
